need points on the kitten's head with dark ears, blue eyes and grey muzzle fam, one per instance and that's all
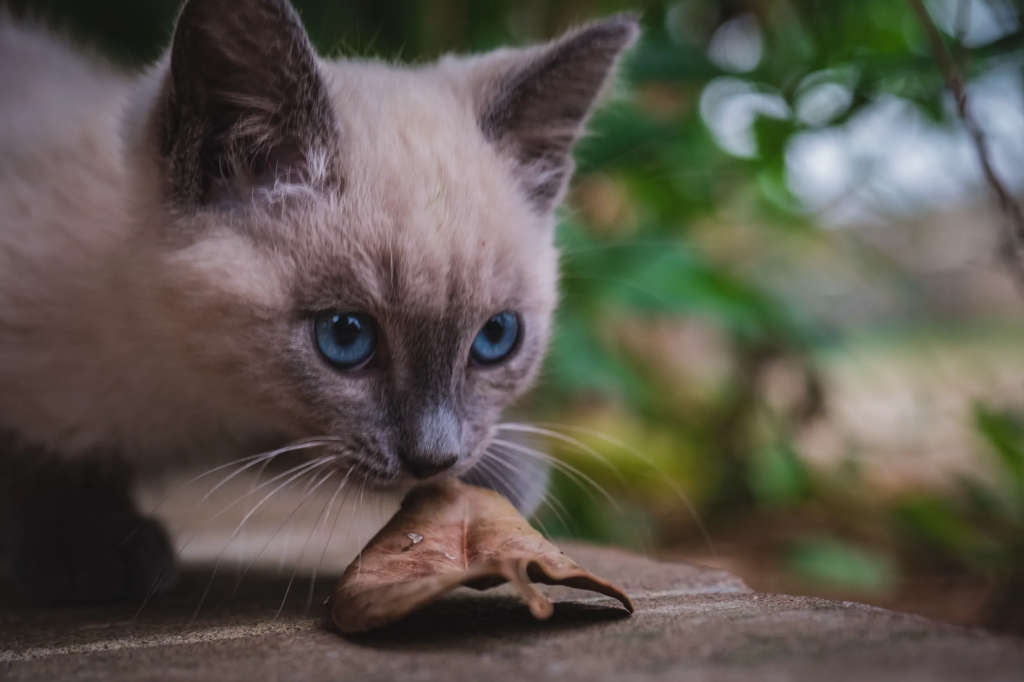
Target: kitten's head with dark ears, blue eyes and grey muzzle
(359, 250)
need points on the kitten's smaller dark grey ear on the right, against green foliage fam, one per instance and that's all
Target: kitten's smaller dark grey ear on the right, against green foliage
(534, 103)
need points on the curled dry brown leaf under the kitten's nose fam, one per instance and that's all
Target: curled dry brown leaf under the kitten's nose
(449, 535)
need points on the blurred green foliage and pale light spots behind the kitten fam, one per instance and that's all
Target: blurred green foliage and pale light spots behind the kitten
(788, 346)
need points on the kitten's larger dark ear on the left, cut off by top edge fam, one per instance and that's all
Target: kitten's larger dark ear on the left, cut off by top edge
(246, 115)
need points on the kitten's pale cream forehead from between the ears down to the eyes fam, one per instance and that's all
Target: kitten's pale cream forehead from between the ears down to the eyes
(430, 217)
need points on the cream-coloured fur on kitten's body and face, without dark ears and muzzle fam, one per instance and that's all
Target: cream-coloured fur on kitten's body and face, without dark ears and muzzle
(131, 327)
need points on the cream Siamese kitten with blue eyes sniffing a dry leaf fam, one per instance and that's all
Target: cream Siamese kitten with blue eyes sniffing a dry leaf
(249, 245)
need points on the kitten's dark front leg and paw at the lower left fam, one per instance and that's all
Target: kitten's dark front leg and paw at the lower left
(70, 533)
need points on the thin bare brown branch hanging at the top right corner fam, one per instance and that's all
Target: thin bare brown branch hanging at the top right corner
(1012, 243)
